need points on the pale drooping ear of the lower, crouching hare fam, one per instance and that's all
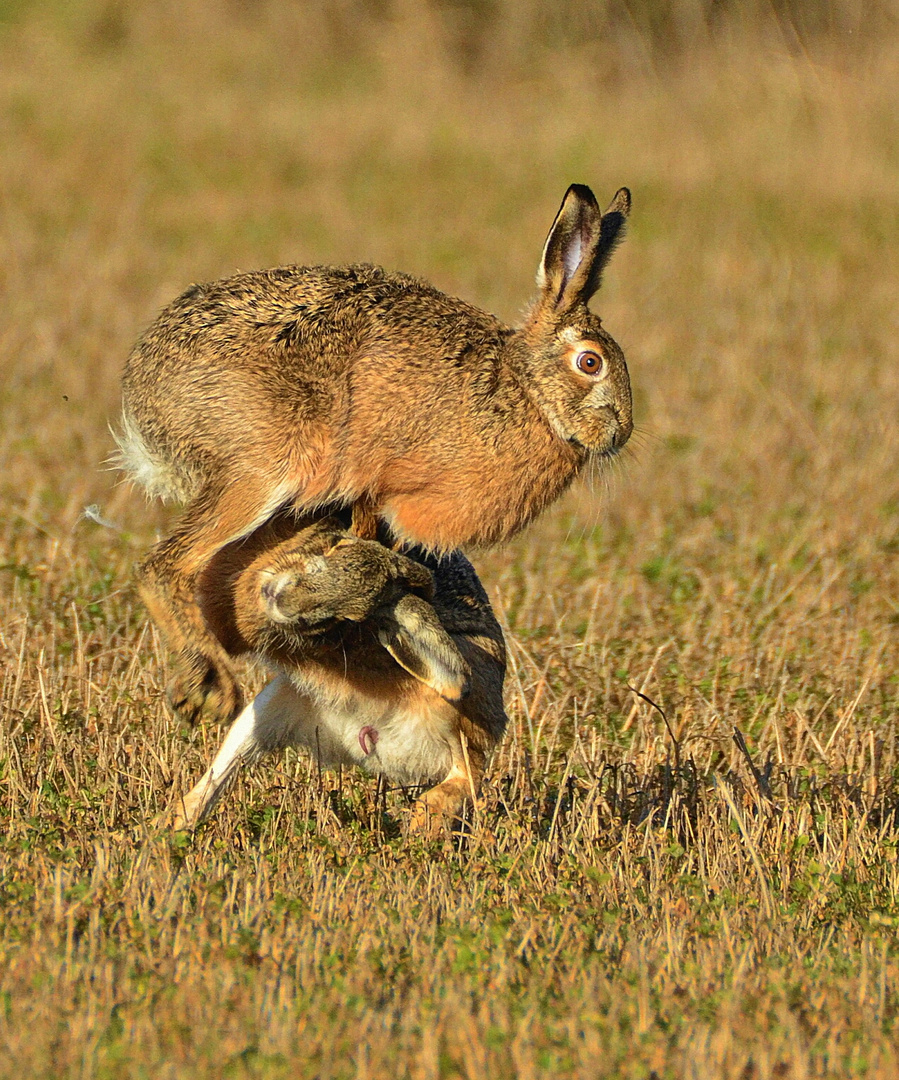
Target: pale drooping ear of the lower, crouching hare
(417, 640)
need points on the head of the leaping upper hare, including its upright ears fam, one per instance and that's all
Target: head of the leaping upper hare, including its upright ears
(578, 372)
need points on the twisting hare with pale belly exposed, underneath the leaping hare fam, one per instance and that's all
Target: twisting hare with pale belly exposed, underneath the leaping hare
(371, 672)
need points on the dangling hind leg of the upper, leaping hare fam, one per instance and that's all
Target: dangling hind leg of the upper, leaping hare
(169, 585)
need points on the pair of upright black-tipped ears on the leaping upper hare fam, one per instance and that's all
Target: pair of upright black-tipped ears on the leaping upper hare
(580, 246)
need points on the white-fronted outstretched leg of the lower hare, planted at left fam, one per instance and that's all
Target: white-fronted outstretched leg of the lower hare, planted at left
(265, 726)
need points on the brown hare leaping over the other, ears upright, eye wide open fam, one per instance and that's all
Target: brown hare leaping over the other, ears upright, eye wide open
(314, 387)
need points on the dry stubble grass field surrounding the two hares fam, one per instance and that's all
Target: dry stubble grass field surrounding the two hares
(639, 896)
